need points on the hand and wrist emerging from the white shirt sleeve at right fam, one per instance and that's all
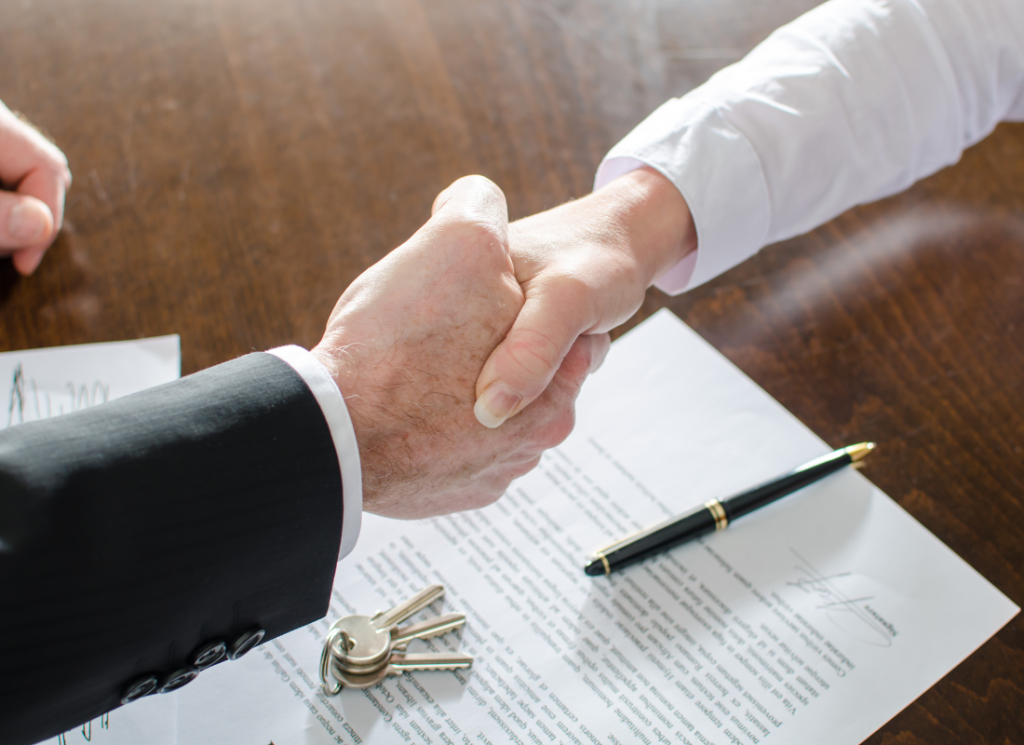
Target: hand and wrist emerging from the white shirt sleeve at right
(584, 269)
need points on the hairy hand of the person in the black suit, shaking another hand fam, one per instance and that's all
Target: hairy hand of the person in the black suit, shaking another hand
(406, 344)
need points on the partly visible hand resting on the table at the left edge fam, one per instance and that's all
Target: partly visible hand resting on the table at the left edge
(37, 172)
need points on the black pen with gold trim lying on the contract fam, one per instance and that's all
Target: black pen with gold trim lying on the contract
(717, 515)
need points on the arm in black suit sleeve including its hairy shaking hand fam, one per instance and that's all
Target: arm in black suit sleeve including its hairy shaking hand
(137, 534)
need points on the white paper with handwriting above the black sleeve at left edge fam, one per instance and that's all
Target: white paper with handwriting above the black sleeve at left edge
(44, 383)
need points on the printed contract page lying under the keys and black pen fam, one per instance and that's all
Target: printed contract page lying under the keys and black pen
(814, 621)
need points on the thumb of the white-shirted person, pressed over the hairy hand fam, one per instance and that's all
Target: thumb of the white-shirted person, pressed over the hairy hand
(522, 367)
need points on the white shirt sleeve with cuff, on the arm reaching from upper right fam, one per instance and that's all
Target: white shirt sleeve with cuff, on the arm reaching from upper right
(854, 102)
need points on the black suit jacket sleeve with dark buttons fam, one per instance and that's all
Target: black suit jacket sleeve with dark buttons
(135, 533)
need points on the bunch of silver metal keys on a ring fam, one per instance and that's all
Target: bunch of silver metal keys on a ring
(362, 651)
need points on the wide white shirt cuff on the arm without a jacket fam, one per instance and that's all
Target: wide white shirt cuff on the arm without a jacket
(692, 145)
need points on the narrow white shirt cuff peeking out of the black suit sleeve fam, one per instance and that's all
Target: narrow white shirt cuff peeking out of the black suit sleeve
(332, 404)
